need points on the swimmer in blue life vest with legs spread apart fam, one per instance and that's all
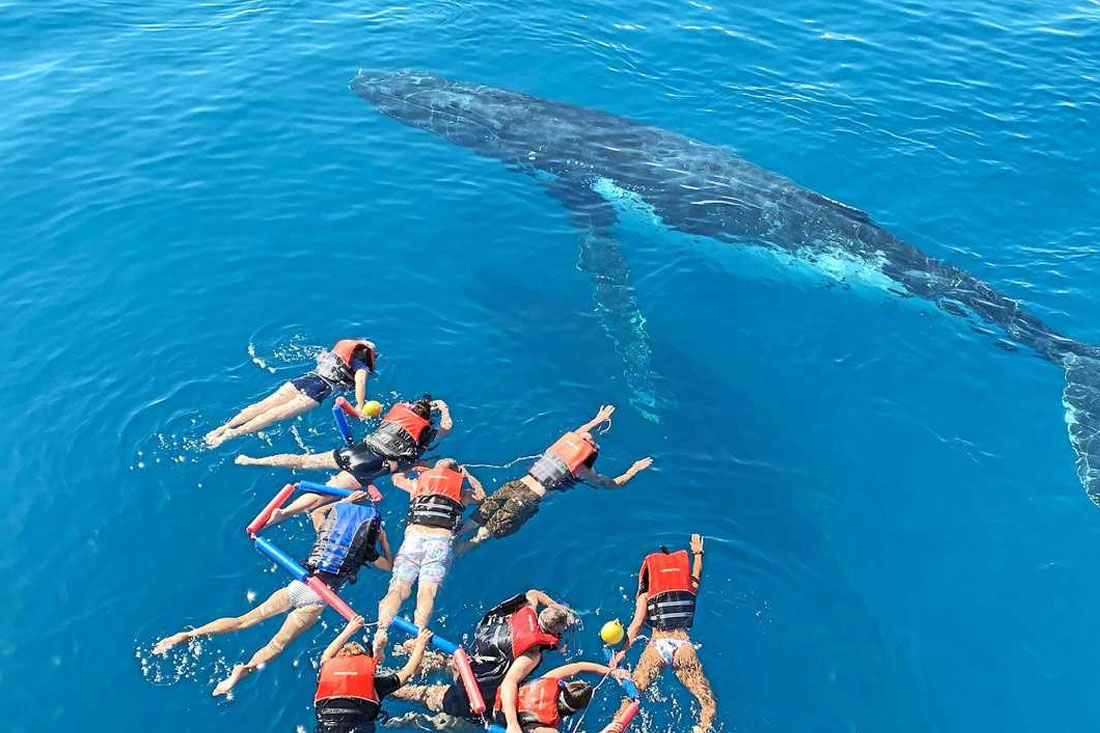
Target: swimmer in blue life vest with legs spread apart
(334, 560)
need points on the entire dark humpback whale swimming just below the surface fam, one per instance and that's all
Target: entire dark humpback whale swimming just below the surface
(589, 159)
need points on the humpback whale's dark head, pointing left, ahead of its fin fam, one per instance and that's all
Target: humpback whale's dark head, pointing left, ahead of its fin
(492, 122)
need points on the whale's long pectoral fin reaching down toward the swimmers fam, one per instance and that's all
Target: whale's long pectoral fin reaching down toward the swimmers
(602, 258)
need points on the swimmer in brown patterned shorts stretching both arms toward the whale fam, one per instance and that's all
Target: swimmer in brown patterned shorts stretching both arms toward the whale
(568, 462)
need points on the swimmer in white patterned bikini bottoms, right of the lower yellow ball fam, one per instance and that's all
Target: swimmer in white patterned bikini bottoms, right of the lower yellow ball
(668, 586)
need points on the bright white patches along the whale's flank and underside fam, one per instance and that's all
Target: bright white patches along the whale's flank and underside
(832, 262)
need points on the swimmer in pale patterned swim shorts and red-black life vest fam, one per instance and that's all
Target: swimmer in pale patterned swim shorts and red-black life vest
(438, 498)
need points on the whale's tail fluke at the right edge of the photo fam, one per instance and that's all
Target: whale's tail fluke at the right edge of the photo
(1082, 400)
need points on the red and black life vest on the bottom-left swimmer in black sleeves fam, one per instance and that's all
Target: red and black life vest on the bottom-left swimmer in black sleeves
(346, 697)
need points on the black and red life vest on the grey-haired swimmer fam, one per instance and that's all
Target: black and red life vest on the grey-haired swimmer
(507, 633)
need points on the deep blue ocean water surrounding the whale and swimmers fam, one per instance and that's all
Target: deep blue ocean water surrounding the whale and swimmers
(192, 202)
